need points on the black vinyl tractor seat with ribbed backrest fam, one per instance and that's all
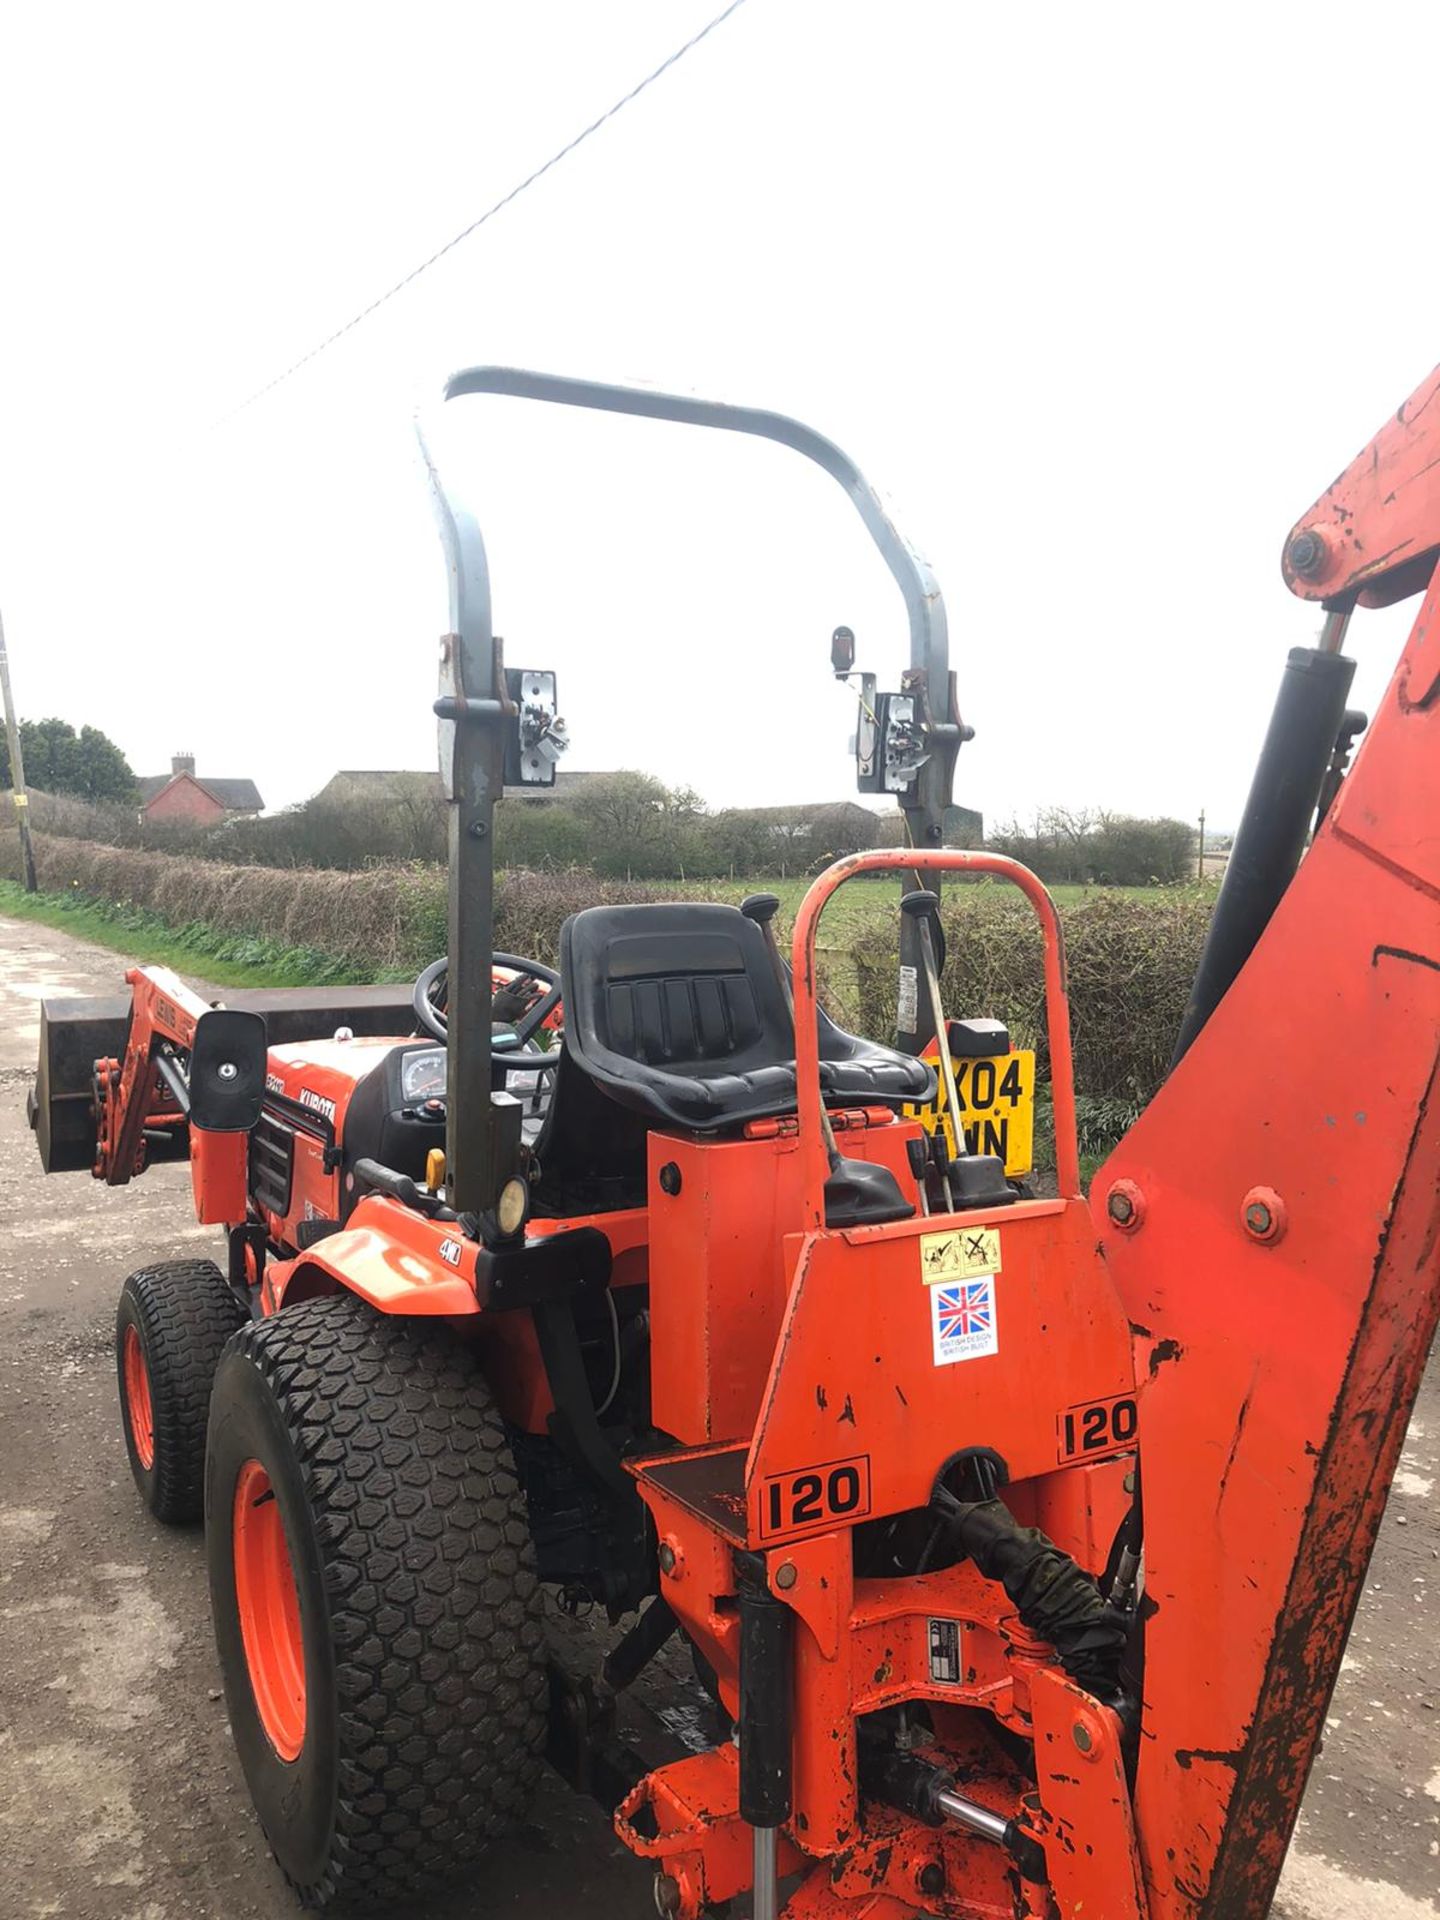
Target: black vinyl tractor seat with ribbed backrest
(677, 1015)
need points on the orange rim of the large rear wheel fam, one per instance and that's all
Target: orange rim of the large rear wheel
(268, 1602)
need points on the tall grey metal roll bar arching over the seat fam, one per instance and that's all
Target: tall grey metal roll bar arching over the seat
(473, 704)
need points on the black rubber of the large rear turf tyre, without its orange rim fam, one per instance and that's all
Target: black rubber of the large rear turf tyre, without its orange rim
(427, 1581)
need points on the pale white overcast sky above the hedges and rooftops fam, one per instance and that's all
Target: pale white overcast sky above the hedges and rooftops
(1099, 297)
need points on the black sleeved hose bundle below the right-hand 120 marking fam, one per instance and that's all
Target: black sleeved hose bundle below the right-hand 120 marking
(1055, 1598)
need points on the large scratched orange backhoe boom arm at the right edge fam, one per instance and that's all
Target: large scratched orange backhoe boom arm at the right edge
(1272, 1226)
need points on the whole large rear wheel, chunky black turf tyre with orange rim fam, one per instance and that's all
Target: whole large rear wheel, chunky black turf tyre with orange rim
(377, 1610)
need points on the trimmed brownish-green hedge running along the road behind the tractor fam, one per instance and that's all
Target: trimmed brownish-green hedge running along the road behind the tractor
(1132, 961)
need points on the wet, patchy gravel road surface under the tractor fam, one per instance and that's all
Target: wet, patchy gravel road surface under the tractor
(120, 1794)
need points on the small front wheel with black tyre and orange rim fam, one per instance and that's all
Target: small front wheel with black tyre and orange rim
(172, 1328)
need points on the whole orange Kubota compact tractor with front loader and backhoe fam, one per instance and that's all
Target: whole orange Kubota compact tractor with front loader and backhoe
(1015, 1539)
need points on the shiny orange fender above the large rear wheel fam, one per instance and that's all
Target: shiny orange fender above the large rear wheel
(393, 1259)
